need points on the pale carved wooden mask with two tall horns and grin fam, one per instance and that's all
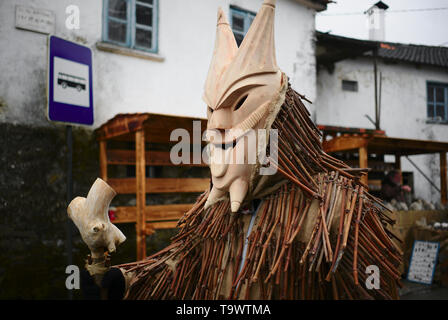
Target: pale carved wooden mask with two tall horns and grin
(241, 88)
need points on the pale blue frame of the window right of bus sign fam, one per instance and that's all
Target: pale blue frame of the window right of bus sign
(131, 25)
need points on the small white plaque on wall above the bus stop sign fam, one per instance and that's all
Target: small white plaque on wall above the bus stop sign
(33, 19)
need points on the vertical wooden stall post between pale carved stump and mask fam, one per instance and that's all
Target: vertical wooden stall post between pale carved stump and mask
(140, 185)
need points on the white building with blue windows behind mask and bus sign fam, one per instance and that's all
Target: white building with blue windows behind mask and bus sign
(148, 55)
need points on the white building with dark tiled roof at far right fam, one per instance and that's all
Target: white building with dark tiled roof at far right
(412, 86)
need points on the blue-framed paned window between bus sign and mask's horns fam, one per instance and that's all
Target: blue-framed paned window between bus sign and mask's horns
(131, 23)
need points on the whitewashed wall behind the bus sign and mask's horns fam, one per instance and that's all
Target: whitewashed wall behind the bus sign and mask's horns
(124, 84)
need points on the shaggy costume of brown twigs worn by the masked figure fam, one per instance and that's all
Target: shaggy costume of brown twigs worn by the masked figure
(310, 238)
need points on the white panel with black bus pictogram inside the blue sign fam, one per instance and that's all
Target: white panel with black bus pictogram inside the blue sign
(71, 82)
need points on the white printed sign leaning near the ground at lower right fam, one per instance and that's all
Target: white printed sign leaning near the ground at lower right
(423, 261)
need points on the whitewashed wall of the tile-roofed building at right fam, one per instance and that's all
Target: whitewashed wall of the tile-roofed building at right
(403, 108)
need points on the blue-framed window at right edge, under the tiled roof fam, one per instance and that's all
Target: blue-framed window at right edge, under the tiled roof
(437, 96)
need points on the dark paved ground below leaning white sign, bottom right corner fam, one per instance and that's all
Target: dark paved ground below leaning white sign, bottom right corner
(416, 291)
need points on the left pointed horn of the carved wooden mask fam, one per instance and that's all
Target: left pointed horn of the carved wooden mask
(223, 54)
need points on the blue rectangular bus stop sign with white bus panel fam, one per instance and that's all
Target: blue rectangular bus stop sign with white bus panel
(70, 93)
